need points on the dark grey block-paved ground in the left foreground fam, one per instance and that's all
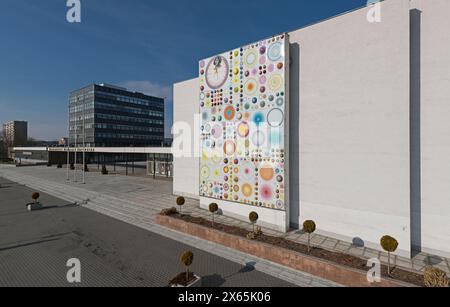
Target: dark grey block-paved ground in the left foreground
(35, 246)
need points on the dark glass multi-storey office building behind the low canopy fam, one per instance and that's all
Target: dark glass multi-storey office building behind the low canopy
(110, 116)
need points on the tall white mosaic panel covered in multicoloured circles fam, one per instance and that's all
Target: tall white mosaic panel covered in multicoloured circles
(243, 123)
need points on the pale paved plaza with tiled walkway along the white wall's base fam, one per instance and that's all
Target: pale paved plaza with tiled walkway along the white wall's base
(137, 200)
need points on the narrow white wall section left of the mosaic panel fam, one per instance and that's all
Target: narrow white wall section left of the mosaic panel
(186, 169)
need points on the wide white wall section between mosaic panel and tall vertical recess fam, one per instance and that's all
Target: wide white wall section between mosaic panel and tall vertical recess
(354, 125)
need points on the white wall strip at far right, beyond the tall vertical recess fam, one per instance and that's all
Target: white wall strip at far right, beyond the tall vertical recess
(432, 211)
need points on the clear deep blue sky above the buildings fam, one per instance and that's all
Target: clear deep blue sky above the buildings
(146, 45)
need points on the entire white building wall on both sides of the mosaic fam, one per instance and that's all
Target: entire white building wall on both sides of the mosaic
(367, 149)
